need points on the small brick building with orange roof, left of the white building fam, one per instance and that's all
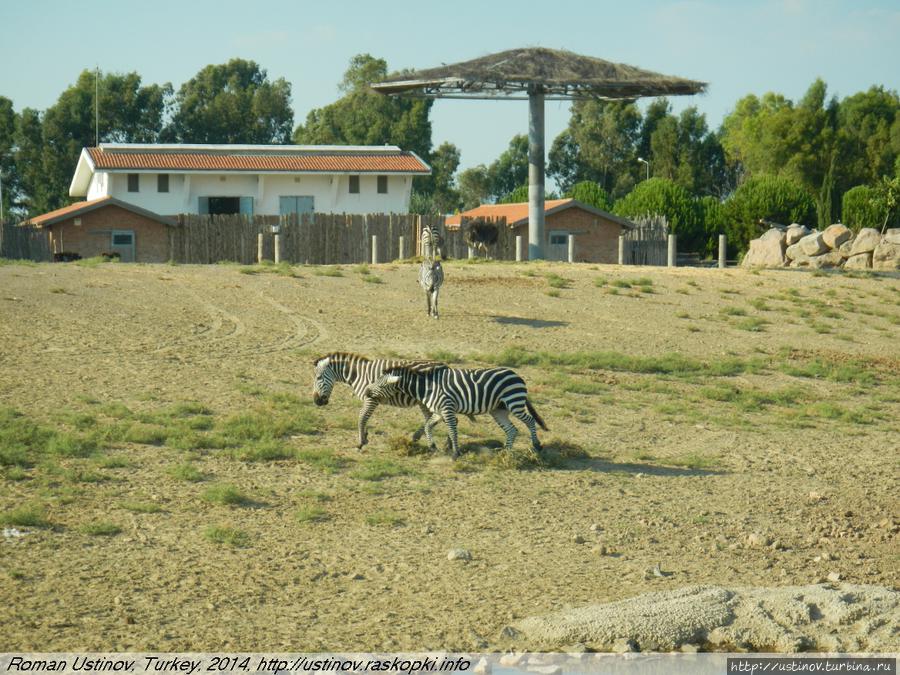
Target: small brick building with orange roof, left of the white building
(107, 225)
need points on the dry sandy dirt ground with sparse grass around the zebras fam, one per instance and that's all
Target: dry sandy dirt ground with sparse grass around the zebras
(779, 471)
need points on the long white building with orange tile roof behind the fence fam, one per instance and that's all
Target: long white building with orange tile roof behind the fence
(250, 179)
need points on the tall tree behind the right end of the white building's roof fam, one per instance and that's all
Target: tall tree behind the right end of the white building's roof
(362, 116)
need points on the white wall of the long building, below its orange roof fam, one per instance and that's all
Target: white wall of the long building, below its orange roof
(331, 192)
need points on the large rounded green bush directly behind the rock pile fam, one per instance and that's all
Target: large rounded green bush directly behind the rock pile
(769, 198)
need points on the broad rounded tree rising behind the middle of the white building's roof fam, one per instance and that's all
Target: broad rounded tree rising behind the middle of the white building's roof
(232, 103)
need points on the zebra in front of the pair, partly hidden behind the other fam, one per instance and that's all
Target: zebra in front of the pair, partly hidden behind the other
(359, 373)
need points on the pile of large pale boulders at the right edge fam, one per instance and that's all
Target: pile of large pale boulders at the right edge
(836, 246)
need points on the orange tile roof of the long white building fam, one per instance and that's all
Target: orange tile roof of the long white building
(192, 160)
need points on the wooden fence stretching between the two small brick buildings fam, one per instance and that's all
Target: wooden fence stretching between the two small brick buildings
(317, 239)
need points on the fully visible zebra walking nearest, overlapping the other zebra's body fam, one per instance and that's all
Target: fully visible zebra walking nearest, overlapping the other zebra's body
(448, 391)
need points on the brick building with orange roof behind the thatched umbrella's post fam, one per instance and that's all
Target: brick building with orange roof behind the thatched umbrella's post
(596, 231)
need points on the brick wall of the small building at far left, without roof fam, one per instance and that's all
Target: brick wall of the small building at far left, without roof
(94, 235)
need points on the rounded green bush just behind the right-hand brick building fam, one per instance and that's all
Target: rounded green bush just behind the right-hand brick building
(660, 196)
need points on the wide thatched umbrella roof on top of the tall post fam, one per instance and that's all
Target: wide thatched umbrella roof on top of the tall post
(556, 73)
